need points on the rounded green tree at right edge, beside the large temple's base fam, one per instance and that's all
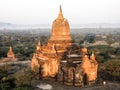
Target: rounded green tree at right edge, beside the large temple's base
(111, 70)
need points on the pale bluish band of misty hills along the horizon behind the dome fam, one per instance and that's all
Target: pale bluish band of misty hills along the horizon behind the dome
(49, 26)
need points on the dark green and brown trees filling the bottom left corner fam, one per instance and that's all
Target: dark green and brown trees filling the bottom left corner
(21, 80)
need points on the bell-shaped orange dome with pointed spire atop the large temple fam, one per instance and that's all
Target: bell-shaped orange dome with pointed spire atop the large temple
(60, 28)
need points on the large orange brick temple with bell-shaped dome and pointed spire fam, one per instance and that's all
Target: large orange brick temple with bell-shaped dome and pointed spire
(64, 59)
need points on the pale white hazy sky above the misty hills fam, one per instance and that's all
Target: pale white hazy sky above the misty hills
(45, 11)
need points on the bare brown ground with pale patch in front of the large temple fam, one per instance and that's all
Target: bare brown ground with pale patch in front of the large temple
(52, 85)
